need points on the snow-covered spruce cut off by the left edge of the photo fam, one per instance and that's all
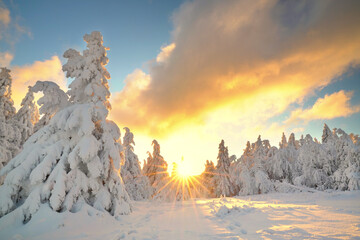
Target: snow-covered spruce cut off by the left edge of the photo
(9, 134)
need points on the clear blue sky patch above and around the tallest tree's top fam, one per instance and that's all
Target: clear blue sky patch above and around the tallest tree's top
(134, 30)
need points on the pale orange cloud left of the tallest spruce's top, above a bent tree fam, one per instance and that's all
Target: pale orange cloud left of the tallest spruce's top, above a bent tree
(24, 76)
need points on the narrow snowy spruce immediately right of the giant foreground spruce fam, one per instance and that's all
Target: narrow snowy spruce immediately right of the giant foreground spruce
(137, 185)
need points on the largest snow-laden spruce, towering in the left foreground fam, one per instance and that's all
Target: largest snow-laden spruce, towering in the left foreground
(75, 159)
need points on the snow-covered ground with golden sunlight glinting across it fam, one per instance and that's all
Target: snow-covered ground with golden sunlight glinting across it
(304, 215)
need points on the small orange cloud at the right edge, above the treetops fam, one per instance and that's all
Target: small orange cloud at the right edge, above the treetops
(331, 106)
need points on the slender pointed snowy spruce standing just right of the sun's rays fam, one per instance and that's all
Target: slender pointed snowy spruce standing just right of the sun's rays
(222, 183)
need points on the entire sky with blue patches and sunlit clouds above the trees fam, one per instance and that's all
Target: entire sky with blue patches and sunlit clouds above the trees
(190, 73)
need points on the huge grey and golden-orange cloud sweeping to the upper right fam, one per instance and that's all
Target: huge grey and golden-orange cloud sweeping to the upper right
(241, 54)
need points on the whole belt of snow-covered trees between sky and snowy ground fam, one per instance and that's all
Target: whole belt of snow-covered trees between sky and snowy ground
(74, 155)
